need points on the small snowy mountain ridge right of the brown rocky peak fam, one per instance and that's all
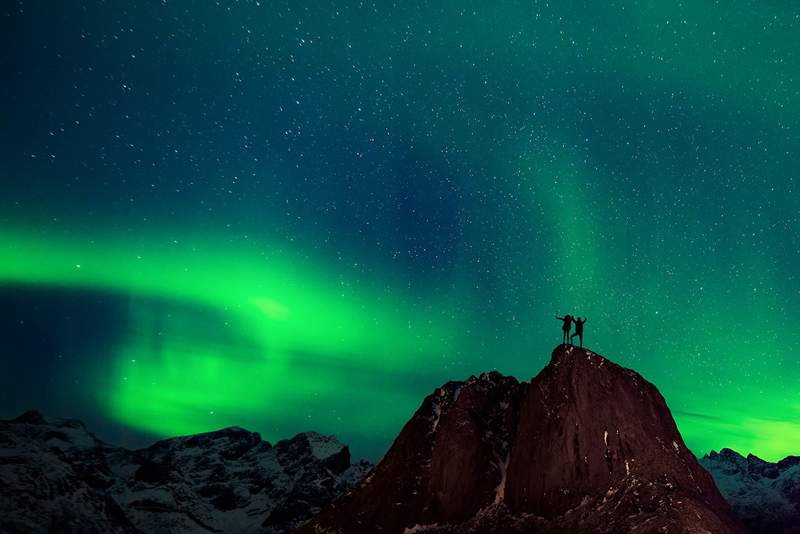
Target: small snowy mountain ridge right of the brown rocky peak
(764, 495)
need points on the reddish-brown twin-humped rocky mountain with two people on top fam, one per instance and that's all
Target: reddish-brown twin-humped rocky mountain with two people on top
(587, 446)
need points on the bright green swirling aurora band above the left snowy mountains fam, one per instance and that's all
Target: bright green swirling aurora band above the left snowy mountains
(171, 376)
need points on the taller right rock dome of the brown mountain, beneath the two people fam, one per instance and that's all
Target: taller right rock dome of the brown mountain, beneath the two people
(591, 425)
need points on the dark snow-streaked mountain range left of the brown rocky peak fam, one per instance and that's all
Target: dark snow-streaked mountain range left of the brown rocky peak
(55, 476)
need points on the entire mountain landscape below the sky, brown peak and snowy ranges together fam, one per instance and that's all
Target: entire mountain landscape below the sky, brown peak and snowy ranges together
(586, 446)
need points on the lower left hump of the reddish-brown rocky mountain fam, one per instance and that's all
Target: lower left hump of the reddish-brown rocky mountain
(447, 461)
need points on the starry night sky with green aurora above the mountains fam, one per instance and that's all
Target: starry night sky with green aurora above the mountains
(307, 215)
